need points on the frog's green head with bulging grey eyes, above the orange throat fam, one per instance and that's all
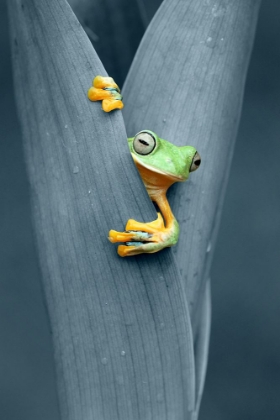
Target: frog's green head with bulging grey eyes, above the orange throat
(159, 156)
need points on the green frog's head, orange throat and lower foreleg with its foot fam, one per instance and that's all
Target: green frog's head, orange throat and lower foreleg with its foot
(160, 165)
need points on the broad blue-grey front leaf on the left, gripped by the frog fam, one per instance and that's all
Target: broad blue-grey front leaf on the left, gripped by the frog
(83, 182)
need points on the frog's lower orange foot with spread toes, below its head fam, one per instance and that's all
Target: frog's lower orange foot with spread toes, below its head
(142, 238)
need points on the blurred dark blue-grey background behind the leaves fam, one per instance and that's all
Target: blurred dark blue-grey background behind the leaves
(243, 380)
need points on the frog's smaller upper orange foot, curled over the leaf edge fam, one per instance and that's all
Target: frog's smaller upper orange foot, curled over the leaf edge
(106, 90)
